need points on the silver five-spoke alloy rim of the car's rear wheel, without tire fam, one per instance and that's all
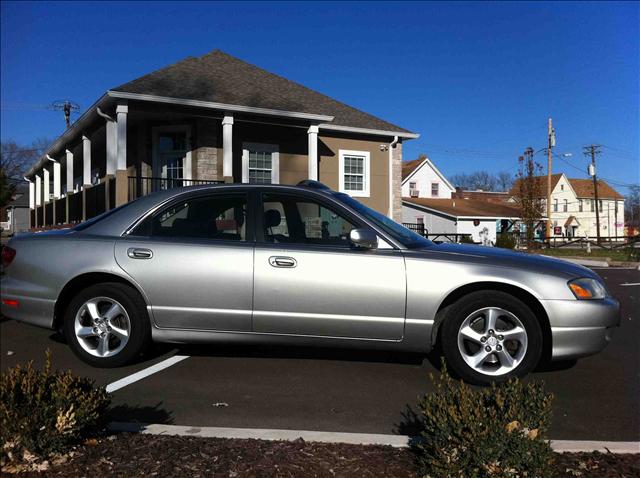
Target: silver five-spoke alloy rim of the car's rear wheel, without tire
(102, 327)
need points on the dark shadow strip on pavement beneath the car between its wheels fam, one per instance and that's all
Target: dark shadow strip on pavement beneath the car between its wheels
(311, 353)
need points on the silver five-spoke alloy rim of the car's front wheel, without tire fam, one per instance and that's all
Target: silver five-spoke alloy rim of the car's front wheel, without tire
(492, 341)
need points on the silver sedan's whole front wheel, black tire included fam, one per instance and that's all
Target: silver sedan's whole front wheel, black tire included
(490, 336)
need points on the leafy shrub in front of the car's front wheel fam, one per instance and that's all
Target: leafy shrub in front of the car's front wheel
(491, 432)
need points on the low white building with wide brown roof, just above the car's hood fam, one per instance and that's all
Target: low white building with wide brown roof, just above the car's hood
(481, 219)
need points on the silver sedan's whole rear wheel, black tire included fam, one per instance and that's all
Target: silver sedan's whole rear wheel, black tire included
(107, 325)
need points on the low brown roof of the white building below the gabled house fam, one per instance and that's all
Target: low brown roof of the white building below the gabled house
(465, 207)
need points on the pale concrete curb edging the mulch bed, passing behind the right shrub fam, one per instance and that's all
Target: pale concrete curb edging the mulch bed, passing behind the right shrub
(397, 441)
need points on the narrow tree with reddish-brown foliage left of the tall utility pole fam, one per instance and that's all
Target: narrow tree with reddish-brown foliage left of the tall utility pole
(529, 194)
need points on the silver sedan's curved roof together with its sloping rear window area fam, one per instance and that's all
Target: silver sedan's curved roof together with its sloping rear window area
(119, 221)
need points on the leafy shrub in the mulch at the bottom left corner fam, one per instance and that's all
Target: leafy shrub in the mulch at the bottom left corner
(44, 411)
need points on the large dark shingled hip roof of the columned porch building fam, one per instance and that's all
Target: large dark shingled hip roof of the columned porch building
(221, 78)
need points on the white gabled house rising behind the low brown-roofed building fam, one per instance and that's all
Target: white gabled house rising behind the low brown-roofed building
(421, 179)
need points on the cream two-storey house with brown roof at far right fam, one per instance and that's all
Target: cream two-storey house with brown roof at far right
(573, 207)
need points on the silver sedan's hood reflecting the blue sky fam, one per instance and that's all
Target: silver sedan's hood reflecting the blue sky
(505, 258)
